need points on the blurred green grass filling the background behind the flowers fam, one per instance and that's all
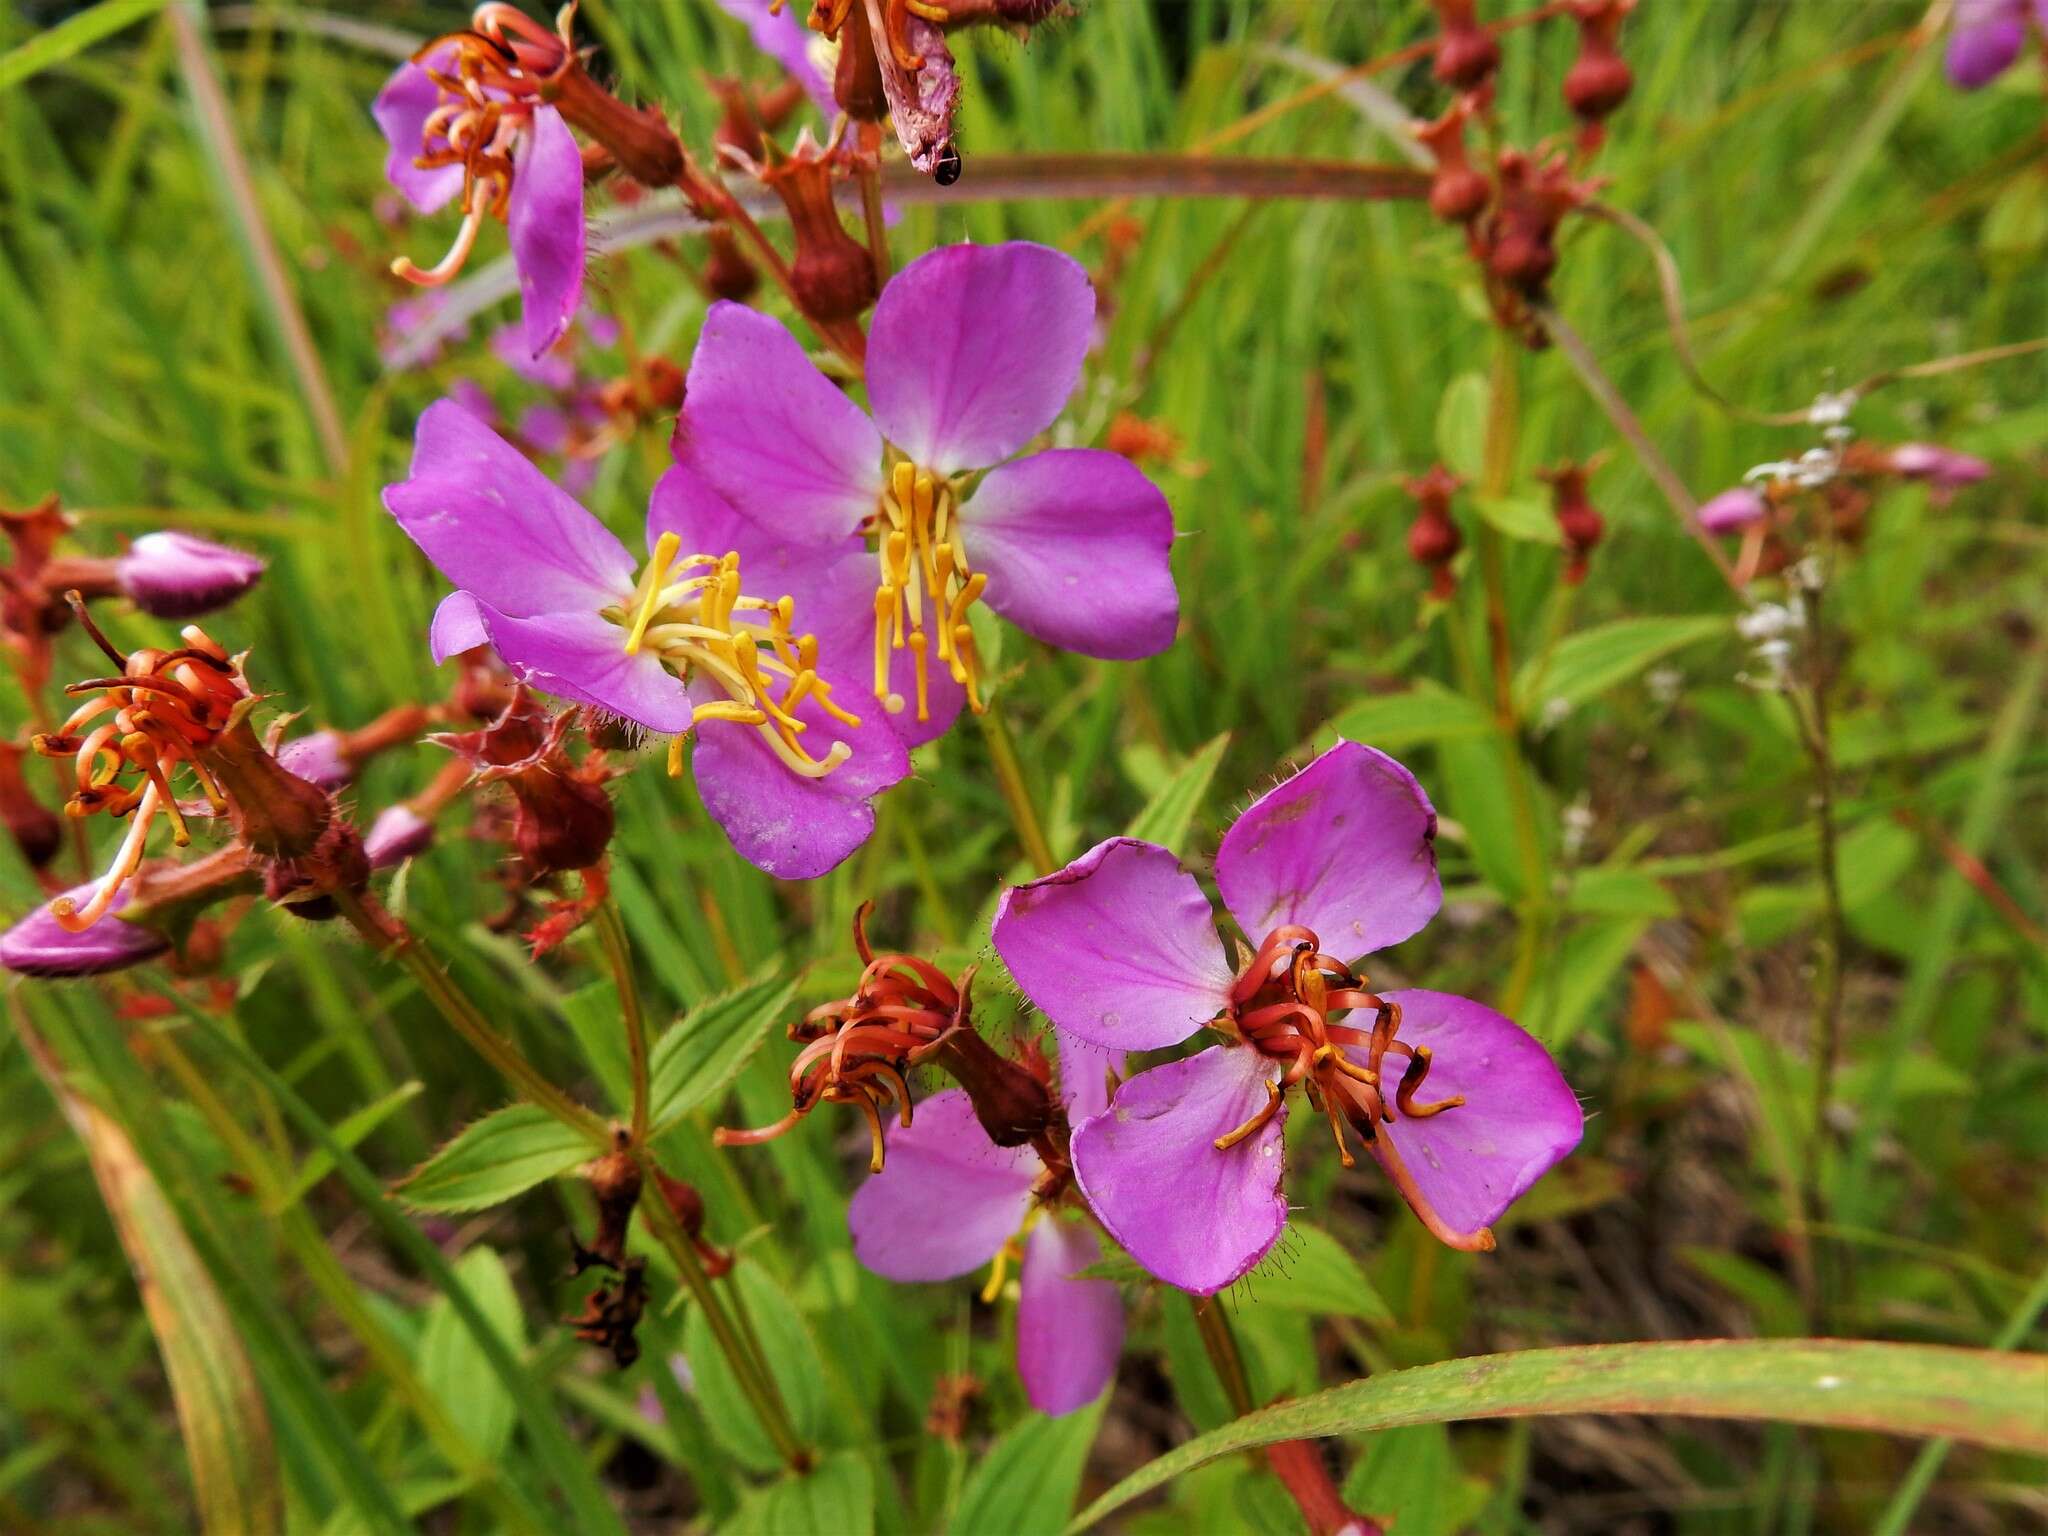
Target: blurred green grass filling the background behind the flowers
(1324, 355)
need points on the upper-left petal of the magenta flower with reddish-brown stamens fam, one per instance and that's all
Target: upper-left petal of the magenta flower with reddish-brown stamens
(1117, 949)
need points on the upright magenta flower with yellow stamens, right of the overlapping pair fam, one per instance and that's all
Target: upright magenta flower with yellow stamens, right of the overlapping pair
(972, 353)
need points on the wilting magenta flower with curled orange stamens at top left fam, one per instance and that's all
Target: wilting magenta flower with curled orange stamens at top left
(468, 120)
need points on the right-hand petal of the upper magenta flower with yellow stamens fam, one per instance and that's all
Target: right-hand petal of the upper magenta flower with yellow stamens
(1076, 548)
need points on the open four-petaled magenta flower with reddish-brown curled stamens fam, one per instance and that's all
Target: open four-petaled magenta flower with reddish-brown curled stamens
(1185, 1166)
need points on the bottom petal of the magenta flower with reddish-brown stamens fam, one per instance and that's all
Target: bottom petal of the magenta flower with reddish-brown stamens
(1189, 1213)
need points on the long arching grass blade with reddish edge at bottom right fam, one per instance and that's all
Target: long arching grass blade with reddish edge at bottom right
(1910, 1390)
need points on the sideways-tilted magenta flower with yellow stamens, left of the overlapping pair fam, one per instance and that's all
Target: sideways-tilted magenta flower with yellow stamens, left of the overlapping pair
(681, 644)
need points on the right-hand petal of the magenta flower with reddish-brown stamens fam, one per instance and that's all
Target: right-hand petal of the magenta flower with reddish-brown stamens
(1517, 1123)
